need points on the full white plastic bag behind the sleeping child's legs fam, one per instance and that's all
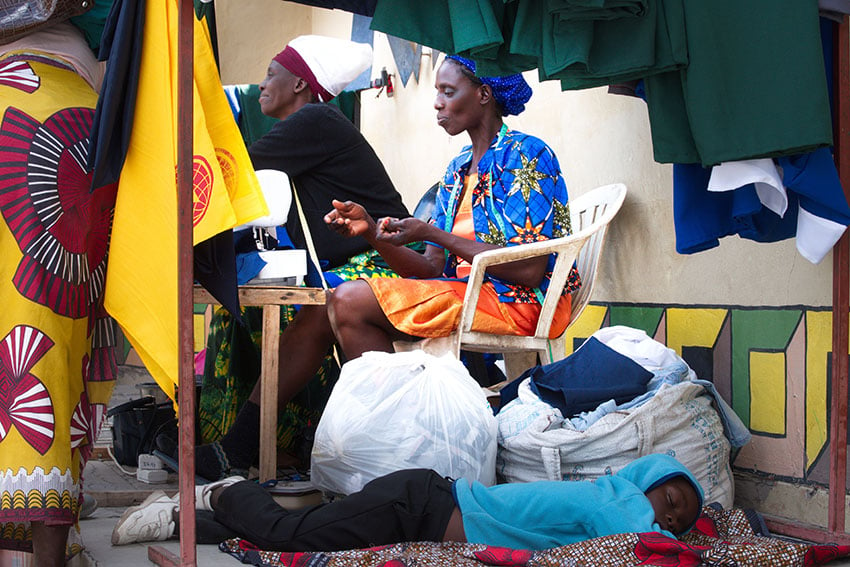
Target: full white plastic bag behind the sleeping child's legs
(393, 411)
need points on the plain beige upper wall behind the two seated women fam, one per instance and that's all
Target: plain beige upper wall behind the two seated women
(599, 138)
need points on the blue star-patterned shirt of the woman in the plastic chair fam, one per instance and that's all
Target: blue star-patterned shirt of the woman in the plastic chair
(520, 198)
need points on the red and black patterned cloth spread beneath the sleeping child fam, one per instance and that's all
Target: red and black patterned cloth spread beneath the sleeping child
(720, 538)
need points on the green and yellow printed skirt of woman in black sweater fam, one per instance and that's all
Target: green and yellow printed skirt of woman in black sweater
(232, 367)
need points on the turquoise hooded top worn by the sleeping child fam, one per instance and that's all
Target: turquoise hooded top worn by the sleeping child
(546, 514)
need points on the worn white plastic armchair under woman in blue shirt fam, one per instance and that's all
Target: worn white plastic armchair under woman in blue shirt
(590, 215)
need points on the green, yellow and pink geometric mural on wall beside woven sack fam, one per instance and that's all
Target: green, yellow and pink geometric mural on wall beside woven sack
(772, 364)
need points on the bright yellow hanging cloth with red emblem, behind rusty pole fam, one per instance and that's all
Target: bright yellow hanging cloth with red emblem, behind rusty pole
(141, 282)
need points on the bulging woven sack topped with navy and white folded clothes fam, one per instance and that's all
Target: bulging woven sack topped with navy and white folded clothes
(647, 401)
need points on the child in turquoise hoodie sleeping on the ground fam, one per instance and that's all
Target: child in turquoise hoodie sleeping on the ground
(654, 493)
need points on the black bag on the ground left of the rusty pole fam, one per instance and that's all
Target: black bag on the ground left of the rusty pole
(135, 425)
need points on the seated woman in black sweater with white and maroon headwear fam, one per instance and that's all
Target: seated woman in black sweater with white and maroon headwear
(327, 158)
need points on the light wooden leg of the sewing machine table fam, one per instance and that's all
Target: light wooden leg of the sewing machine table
(268, 393)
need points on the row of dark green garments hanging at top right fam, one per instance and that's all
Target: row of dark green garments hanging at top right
(725, 80)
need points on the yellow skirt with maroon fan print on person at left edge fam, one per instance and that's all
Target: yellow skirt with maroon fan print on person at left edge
(57, 359)
